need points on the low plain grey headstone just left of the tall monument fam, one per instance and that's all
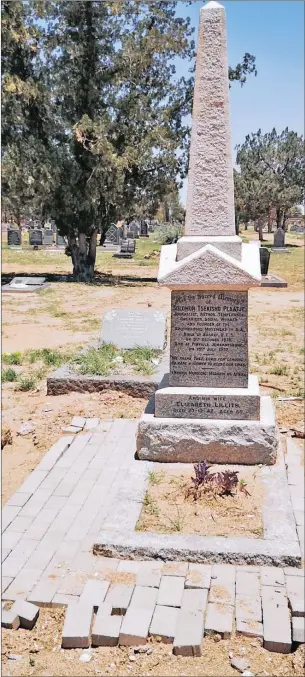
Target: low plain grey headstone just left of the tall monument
(134, 328)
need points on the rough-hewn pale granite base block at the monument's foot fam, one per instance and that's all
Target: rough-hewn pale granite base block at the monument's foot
(190, 440)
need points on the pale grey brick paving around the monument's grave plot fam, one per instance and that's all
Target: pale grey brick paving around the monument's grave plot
(51, 523)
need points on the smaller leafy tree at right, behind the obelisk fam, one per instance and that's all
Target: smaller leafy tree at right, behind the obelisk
(272, 173)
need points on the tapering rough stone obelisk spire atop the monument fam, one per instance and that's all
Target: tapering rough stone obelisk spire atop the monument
(210, 195)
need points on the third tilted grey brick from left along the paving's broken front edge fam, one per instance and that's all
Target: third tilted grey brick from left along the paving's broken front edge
(135, 626)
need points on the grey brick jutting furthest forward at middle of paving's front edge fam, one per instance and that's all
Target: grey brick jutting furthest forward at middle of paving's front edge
(189, 633)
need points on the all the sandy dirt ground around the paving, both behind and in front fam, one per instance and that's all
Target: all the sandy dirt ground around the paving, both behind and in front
(68, 315)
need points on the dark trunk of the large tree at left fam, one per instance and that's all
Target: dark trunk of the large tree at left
(83, 256)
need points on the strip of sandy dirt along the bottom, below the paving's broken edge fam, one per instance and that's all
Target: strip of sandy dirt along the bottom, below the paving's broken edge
(41, 654)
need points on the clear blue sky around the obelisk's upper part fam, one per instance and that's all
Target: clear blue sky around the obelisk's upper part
(272, 30)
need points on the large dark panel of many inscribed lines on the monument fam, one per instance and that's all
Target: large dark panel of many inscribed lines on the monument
(209, 339)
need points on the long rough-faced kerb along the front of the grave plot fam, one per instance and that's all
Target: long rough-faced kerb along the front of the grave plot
(137, 545)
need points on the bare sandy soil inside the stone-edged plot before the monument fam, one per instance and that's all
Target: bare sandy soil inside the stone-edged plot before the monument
(168, 507)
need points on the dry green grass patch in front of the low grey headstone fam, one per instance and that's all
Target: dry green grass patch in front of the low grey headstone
(101, 361)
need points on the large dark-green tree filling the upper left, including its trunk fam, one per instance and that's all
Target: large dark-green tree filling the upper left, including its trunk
(110, 112)
